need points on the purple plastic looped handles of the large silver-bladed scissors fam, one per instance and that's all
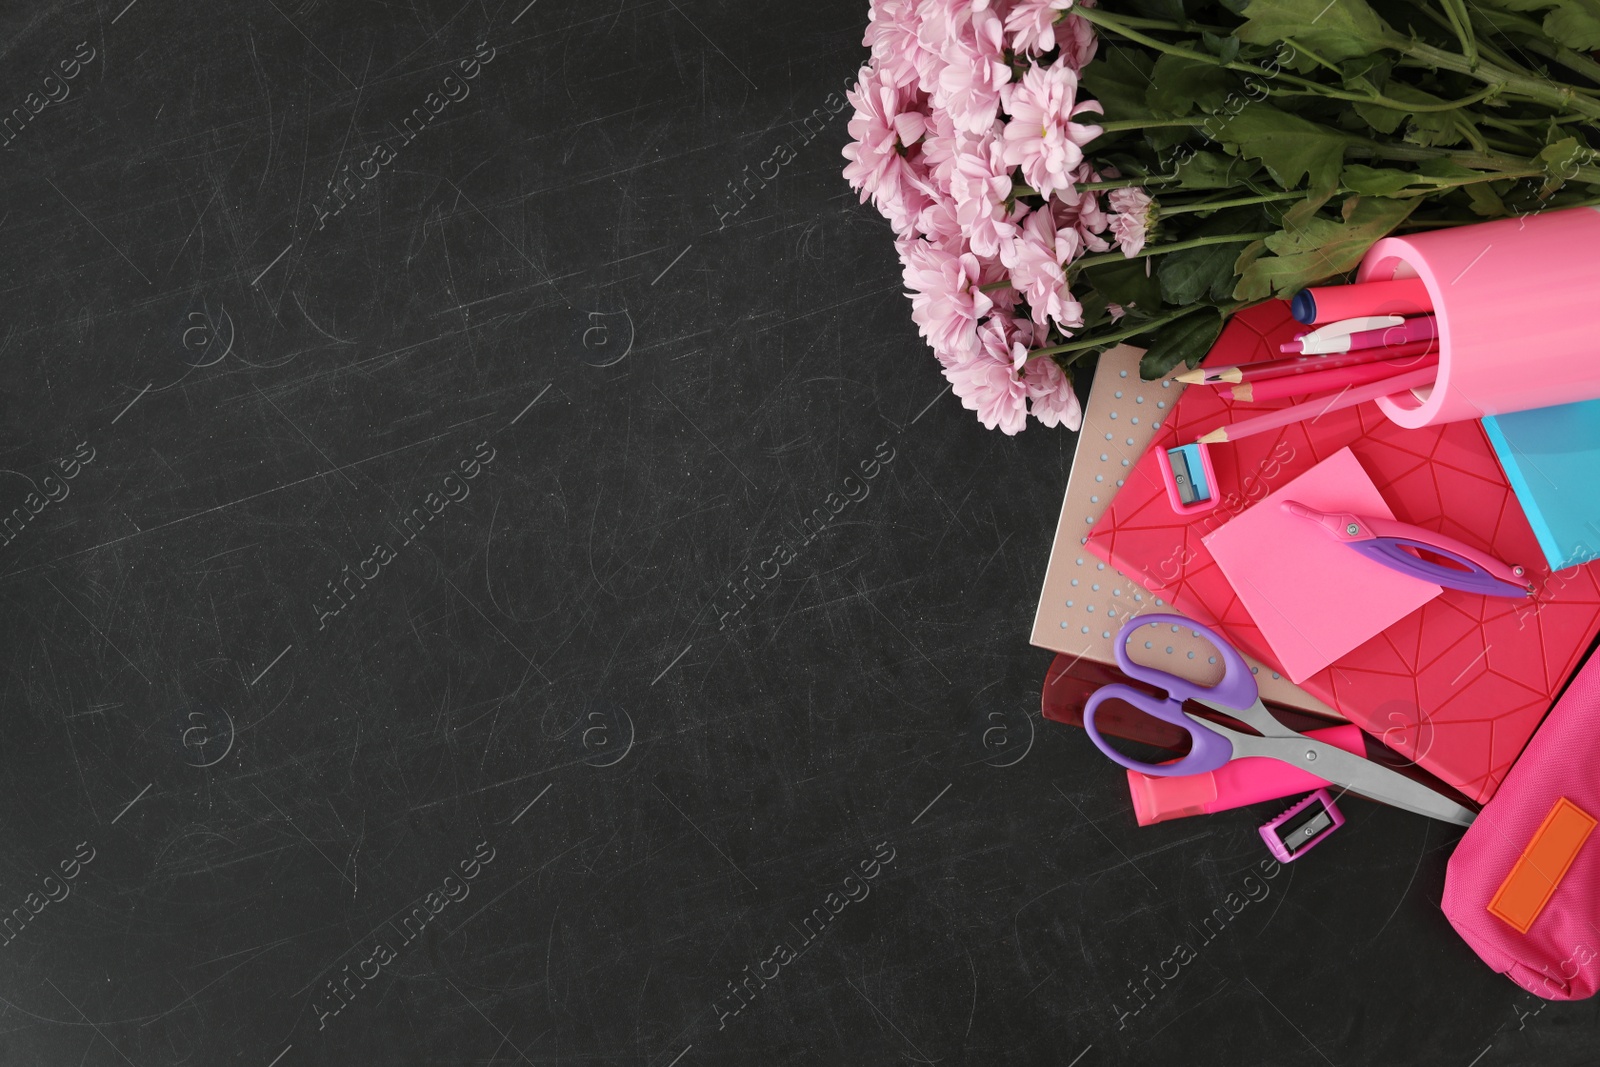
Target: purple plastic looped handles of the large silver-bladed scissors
(1234, 695)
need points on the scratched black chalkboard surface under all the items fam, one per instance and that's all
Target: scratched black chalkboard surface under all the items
(668, 390)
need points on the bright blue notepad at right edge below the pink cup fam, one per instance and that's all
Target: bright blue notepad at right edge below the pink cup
(1551, 458)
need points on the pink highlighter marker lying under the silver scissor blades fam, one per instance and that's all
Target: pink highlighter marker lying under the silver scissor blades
(1234, 785)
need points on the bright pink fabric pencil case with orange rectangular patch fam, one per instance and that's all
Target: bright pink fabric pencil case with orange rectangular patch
(1524, 885)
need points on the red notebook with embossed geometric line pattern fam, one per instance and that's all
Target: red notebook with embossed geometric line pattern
(1458, 685)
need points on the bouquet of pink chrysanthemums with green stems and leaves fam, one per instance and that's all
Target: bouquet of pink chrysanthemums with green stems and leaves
(1068, 177)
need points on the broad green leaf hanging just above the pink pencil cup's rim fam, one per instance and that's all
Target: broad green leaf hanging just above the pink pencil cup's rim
(1322, 247)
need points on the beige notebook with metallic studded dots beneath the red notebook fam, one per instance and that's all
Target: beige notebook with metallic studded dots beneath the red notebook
(1086, 602)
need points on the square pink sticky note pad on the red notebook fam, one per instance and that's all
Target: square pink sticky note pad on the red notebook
(1313, 597)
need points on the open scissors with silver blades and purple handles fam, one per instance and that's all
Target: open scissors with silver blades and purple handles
(1239, 697)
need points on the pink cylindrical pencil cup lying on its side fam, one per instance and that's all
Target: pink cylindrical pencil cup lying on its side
(1516, 310)
